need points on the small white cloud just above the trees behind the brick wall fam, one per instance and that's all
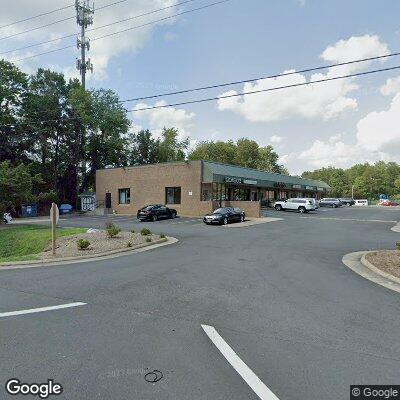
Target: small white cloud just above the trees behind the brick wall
(165, 117)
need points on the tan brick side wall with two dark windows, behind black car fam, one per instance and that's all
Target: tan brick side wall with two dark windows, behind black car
(147, 185)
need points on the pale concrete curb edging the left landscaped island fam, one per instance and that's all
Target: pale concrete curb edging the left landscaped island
(95, 257)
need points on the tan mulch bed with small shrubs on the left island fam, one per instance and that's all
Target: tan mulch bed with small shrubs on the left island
(99, 243)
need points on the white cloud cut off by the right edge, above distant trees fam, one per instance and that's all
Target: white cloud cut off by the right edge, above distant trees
(380, 131)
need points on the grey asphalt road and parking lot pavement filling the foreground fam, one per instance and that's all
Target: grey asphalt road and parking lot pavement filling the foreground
(277, 293)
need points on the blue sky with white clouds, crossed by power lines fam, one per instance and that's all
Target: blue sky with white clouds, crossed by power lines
(337, 123)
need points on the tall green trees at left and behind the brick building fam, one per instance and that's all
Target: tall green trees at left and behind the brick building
(54, 135)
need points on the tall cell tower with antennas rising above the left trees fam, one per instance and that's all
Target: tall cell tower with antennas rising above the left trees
(84, 18)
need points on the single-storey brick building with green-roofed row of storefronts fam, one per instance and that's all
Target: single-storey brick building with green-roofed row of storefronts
(195, 188)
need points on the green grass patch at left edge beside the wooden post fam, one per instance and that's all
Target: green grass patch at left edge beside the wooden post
(24, 242)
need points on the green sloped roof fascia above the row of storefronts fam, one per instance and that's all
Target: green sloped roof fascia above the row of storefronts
(212, 168)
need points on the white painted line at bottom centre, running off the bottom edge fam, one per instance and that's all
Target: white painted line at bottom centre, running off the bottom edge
(241, 368)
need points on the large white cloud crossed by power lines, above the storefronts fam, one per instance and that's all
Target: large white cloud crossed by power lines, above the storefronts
(324, 100)
